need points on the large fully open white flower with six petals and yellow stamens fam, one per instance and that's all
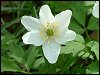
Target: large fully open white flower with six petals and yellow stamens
(48, 31)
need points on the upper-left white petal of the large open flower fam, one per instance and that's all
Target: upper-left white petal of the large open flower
(30, 23)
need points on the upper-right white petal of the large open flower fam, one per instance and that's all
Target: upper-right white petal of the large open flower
(63, 18)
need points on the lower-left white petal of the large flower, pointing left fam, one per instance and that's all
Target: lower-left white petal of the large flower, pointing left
(33, 37)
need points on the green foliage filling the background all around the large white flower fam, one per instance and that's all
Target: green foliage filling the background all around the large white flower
(80, 56)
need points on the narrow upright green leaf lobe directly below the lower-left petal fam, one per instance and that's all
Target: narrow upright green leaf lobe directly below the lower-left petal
(32, 53)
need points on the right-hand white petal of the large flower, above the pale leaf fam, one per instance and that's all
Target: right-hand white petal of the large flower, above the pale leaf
(68, 36)
